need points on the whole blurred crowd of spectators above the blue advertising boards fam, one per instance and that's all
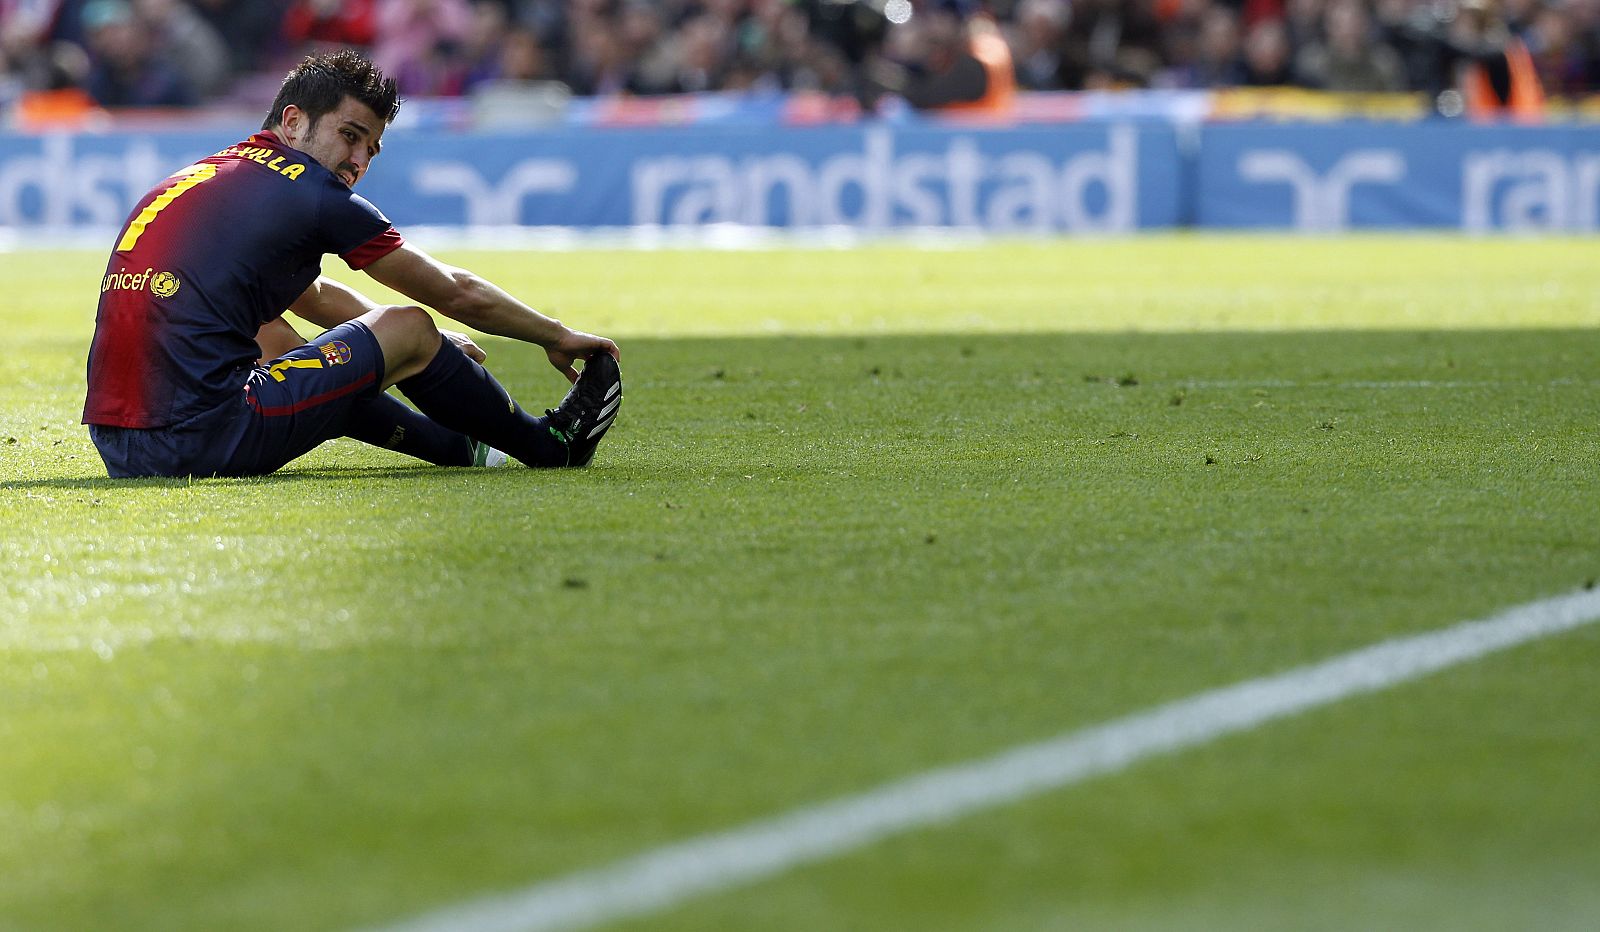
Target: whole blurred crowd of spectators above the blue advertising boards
(175, 54)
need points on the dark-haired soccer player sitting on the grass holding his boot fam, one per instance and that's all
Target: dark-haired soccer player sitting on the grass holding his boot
(194, 372)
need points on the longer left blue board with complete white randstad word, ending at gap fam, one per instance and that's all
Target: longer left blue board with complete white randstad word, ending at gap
(1082, 179)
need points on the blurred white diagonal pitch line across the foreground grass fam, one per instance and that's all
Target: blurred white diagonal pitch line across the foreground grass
(710, 864)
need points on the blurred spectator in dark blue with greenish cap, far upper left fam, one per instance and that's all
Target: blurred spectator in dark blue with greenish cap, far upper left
(124, 68)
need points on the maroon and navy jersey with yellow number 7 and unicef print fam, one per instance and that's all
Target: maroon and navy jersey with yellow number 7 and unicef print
(207, 257)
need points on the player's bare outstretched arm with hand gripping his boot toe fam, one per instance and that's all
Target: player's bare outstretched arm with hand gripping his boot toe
(465, 297)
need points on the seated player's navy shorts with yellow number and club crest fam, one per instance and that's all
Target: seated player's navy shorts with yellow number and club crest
(284, 411)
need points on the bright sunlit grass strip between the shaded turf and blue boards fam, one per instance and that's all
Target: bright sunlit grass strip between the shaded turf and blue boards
(1161, 284)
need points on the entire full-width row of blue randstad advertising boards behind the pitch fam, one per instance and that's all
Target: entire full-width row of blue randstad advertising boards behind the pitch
(1108, 177)
